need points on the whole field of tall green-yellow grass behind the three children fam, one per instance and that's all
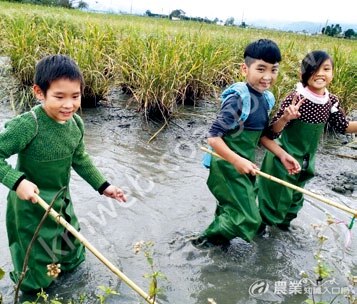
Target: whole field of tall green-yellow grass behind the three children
(160, 62)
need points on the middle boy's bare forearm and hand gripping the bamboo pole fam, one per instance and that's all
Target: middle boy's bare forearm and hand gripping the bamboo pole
(242, 165)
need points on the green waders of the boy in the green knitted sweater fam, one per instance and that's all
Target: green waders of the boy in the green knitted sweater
(54, 244)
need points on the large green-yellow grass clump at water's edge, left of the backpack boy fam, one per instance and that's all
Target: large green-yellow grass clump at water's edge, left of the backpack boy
(167, 69)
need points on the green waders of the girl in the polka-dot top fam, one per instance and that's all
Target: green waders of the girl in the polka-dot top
(279, 204)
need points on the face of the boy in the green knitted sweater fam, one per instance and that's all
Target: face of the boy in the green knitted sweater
(62, 99)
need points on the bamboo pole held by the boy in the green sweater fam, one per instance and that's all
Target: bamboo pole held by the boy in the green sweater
(58, 218)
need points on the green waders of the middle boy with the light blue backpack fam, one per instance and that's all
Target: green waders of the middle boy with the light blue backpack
(237, 214)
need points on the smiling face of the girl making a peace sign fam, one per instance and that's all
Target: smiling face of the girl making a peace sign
(319, 80)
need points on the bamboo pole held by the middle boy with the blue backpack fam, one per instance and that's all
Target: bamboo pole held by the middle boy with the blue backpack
(292, 186)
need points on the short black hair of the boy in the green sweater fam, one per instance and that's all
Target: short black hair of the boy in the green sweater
(54, 67)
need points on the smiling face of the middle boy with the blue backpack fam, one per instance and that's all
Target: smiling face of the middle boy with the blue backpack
(260, 75)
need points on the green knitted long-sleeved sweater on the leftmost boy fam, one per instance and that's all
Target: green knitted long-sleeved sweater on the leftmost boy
(39, 137)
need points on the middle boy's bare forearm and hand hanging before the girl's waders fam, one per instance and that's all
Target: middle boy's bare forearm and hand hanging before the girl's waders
(289, 162)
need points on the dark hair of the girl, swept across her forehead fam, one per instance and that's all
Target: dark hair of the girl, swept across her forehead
(311, 63)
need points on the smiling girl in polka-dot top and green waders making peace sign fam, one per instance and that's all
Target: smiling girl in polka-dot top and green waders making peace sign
(300, 122)
